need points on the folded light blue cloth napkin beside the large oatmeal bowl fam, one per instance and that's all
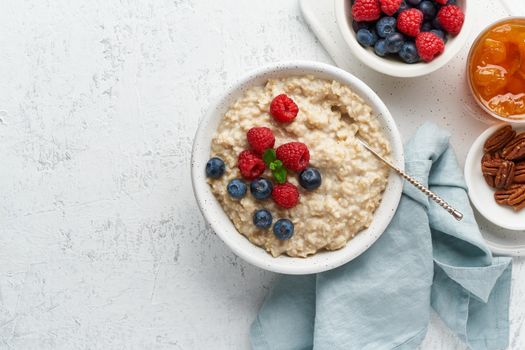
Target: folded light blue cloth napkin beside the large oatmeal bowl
(382, 299)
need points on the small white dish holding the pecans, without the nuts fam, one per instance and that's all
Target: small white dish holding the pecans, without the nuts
(482, 195)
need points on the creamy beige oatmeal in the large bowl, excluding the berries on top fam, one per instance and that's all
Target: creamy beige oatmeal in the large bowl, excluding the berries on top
(330, 115)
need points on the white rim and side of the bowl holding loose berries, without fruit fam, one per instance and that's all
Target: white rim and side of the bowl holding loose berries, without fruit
(395, 68)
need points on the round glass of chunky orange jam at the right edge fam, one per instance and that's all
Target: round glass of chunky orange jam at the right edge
(497, 68)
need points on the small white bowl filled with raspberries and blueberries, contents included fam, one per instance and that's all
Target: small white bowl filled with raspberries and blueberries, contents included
(404, 38)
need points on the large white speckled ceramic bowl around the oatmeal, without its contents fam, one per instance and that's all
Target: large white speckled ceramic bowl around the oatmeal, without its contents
(219, 221)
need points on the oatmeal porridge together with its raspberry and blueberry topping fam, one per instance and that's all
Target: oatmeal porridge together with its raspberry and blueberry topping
(308, 215)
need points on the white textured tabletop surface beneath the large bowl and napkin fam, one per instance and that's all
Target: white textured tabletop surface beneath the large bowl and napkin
(101, 243)
